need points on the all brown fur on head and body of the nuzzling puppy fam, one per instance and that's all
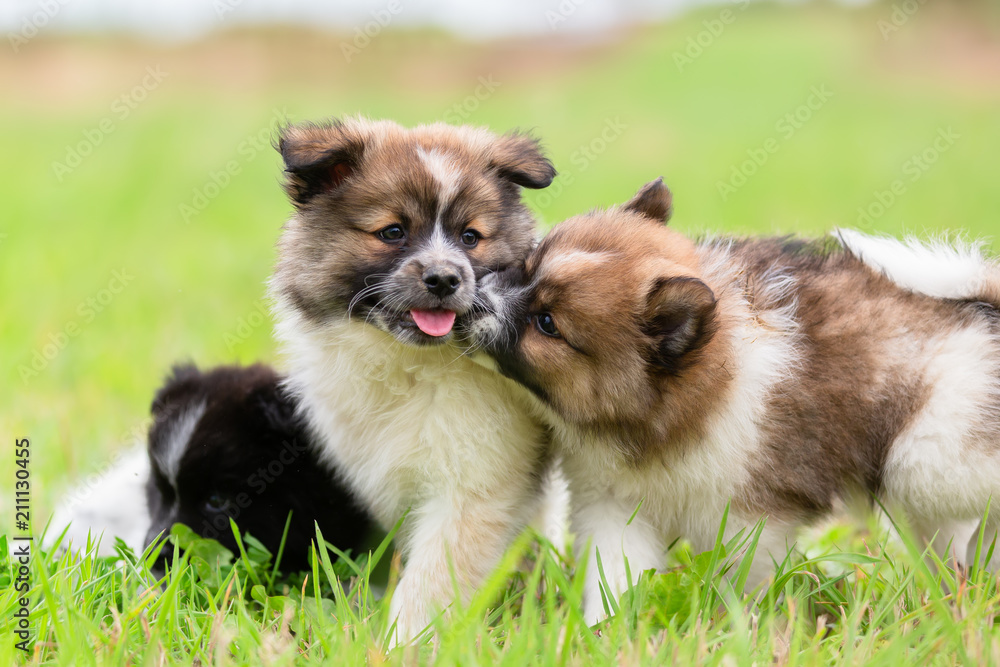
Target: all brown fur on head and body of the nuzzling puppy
(647, 325)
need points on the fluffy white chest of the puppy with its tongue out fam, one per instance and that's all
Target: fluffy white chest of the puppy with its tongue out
(406, 424)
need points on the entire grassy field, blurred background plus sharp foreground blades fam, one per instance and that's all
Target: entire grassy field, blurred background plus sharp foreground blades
(195, 291)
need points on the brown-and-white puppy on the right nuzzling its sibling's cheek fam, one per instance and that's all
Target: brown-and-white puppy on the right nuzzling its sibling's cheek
(779, 375)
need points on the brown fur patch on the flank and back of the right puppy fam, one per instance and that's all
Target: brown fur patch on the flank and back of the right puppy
(830, 427)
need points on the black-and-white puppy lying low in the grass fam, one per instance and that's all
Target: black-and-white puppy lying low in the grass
(224, 443)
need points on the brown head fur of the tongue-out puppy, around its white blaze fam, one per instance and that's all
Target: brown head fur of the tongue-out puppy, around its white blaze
(349, 179)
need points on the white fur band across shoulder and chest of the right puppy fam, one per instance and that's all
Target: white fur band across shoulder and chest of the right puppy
(684, 490)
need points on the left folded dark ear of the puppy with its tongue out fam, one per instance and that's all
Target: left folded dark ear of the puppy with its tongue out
(319, 158)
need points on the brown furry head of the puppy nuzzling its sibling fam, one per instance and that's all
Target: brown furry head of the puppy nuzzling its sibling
(611, 372)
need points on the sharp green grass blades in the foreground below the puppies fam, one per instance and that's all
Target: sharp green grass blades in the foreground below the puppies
(874, 606)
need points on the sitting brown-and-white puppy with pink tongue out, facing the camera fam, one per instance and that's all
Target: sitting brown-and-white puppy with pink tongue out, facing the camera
(392, 230)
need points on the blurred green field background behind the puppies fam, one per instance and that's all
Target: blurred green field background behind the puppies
(141, 197)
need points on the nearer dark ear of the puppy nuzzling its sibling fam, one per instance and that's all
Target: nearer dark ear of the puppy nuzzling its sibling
(680, 318)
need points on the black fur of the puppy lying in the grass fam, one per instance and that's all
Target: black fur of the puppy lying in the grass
(250, 457)
